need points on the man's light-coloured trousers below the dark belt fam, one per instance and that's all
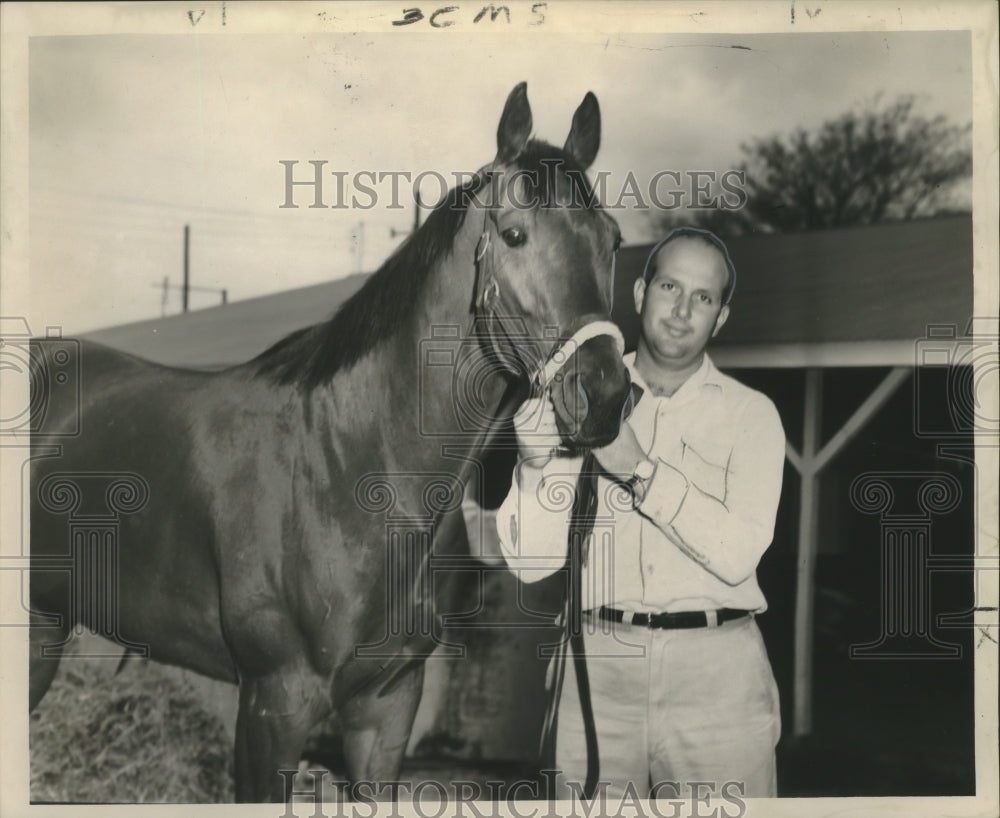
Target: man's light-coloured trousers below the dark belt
(684, 706)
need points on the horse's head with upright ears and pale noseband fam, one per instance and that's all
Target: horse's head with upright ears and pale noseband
(545, 271)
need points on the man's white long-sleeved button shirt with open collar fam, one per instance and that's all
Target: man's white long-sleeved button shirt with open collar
(695, 540)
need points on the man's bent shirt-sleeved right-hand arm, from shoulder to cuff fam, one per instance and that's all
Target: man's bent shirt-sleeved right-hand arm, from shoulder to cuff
(729, 536)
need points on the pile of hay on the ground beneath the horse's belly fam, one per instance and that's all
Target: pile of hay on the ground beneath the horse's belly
(135, 737)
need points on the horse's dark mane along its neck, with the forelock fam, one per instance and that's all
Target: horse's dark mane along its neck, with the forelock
(309, 357)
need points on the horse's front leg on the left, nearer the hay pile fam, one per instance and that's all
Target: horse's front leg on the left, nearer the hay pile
(276, 713)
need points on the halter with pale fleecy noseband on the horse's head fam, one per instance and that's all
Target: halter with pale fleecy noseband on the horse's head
(488, 316)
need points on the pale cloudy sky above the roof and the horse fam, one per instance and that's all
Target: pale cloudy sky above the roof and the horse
(134, 136)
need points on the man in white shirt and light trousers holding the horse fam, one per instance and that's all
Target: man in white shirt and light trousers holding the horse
(680, 684)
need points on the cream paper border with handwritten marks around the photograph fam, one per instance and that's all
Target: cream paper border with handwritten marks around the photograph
(19, 22)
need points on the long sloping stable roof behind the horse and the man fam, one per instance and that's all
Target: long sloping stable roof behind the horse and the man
(859, 296)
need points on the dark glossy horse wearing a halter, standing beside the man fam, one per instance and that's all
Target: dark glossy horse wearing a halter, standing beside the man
(254, 506)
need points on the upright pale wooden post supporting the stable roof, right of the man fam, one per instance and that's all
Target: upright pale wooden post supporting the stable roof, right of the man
(804, 577)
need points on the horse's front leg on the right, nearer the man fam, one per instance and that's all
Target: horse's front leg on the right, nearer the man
(377, 730)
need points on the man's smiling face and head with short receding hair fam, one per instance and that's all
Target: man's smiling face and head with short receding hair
(681, 306)
